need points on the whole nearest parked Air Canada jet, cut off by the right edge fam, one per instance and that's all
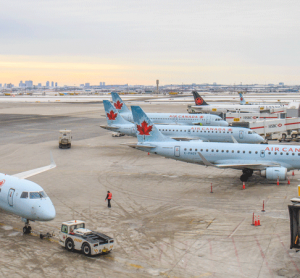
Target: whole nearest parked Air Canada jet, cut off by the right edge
(270, 161)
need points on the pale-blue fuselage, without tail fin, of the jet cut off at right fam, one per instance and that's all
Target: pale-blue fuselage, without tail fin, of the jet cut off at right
(287, 156)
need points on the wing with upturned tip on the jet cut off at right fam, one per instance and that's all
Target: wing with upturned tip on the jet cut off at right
(239, 166)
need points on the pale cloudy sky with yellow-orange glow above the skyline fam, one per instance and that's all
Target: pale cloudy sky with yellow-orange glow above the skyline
(136, 42)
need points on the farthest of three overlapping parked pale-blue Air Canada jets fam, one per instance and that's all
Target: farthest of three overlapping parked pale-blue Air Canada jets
(170, 118)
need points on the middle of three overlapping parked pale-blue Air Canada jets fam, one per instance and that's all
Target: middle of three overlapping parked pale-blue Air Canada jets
(115, 122)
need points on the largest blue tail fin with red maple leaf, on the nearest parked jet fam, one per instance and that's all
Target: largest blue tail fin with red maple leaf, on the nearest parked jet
(146, 131)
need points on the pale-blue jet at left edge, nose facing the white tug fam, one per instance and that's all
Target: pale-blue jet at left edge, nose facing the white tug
(26, 198)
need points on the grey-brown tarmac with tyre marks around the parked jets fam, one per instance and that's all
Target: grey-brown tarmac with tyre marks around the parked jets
(164, 219)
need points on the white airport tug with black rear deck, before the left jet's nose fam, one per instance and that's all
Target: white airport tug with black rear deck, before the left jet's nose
(74, 236)
